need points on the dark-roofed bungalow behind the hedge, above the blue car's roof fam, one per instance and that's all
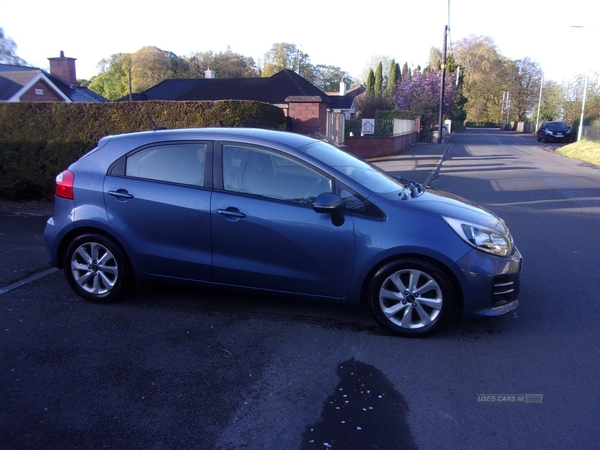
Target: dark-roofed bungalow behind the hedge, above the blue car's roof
(305, 105)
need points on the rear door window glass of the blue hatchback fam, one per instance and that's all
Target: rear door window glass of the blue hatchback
(174, 163)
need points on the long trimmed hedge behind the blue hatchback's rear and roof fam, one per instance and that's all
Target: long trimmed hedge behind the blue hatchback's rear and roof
(39, 140)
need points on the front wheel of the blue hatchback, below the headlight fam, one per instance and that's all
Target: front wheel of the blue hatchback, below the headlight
(410, 297)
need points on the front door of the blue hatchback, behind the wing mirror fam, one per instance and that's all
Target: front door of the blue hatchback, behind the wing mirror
(265, 231)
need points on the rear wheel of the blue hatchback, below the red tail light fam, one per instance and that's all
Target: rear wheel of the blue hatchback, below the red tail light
(96, 268)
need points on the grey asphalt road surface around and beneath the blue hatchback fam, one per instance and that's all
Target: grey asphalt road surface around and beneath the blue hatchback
(178, 368)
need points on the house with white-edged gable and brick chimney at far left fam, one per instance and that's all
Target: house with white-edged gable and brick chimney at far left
(30, 84)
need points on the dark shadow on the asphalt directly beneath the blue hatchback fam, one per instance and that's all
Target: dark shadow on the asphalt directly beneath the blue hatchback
(278, 308)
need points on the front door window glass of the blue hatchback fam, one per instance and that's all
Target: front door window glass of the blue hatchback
(268, 174)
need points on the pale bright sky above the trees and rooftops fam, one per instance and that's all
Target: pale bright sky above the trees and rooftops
(333, 33)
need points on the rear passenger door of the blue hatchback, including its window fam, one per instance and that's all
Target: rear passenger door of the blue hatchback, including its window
(158, 198)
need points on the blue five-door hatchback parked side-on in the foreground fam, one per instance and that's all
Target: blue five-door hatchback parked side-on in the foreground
(278, 212)
